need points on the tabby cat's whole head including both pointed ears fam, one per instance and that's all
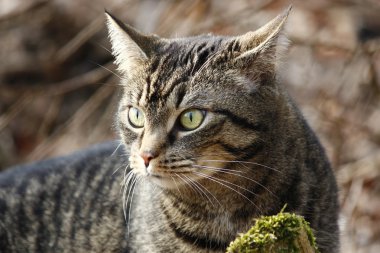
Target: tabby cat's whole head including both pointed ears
(191, 107)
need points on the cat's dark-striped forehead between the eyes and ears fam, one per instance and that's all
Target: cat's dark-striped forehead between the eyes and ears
(170, 75)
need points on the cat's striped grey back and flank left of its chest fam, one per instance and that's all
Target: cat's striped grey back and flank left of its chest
(68, 204)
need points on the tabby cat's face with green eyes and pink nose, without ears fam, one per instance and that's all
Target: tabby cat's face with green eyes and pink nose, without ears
(178, 125)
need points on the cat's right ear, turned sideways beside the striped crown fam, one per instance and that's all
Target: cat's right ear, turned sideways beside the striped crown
(260, 50)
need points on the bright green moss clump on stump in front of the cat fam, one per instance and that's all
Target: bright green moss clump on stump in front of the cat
(278, 234)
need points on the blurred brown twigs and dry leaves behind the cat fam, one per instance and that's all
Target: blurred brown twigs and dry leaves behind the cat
(58, 86)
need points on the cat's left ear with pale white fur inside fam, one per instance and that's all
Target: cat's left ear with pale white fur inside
(130, 47)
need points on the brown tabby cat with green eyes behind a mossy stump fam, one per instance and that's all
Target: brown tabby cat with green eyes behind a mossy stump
(209, 140)
